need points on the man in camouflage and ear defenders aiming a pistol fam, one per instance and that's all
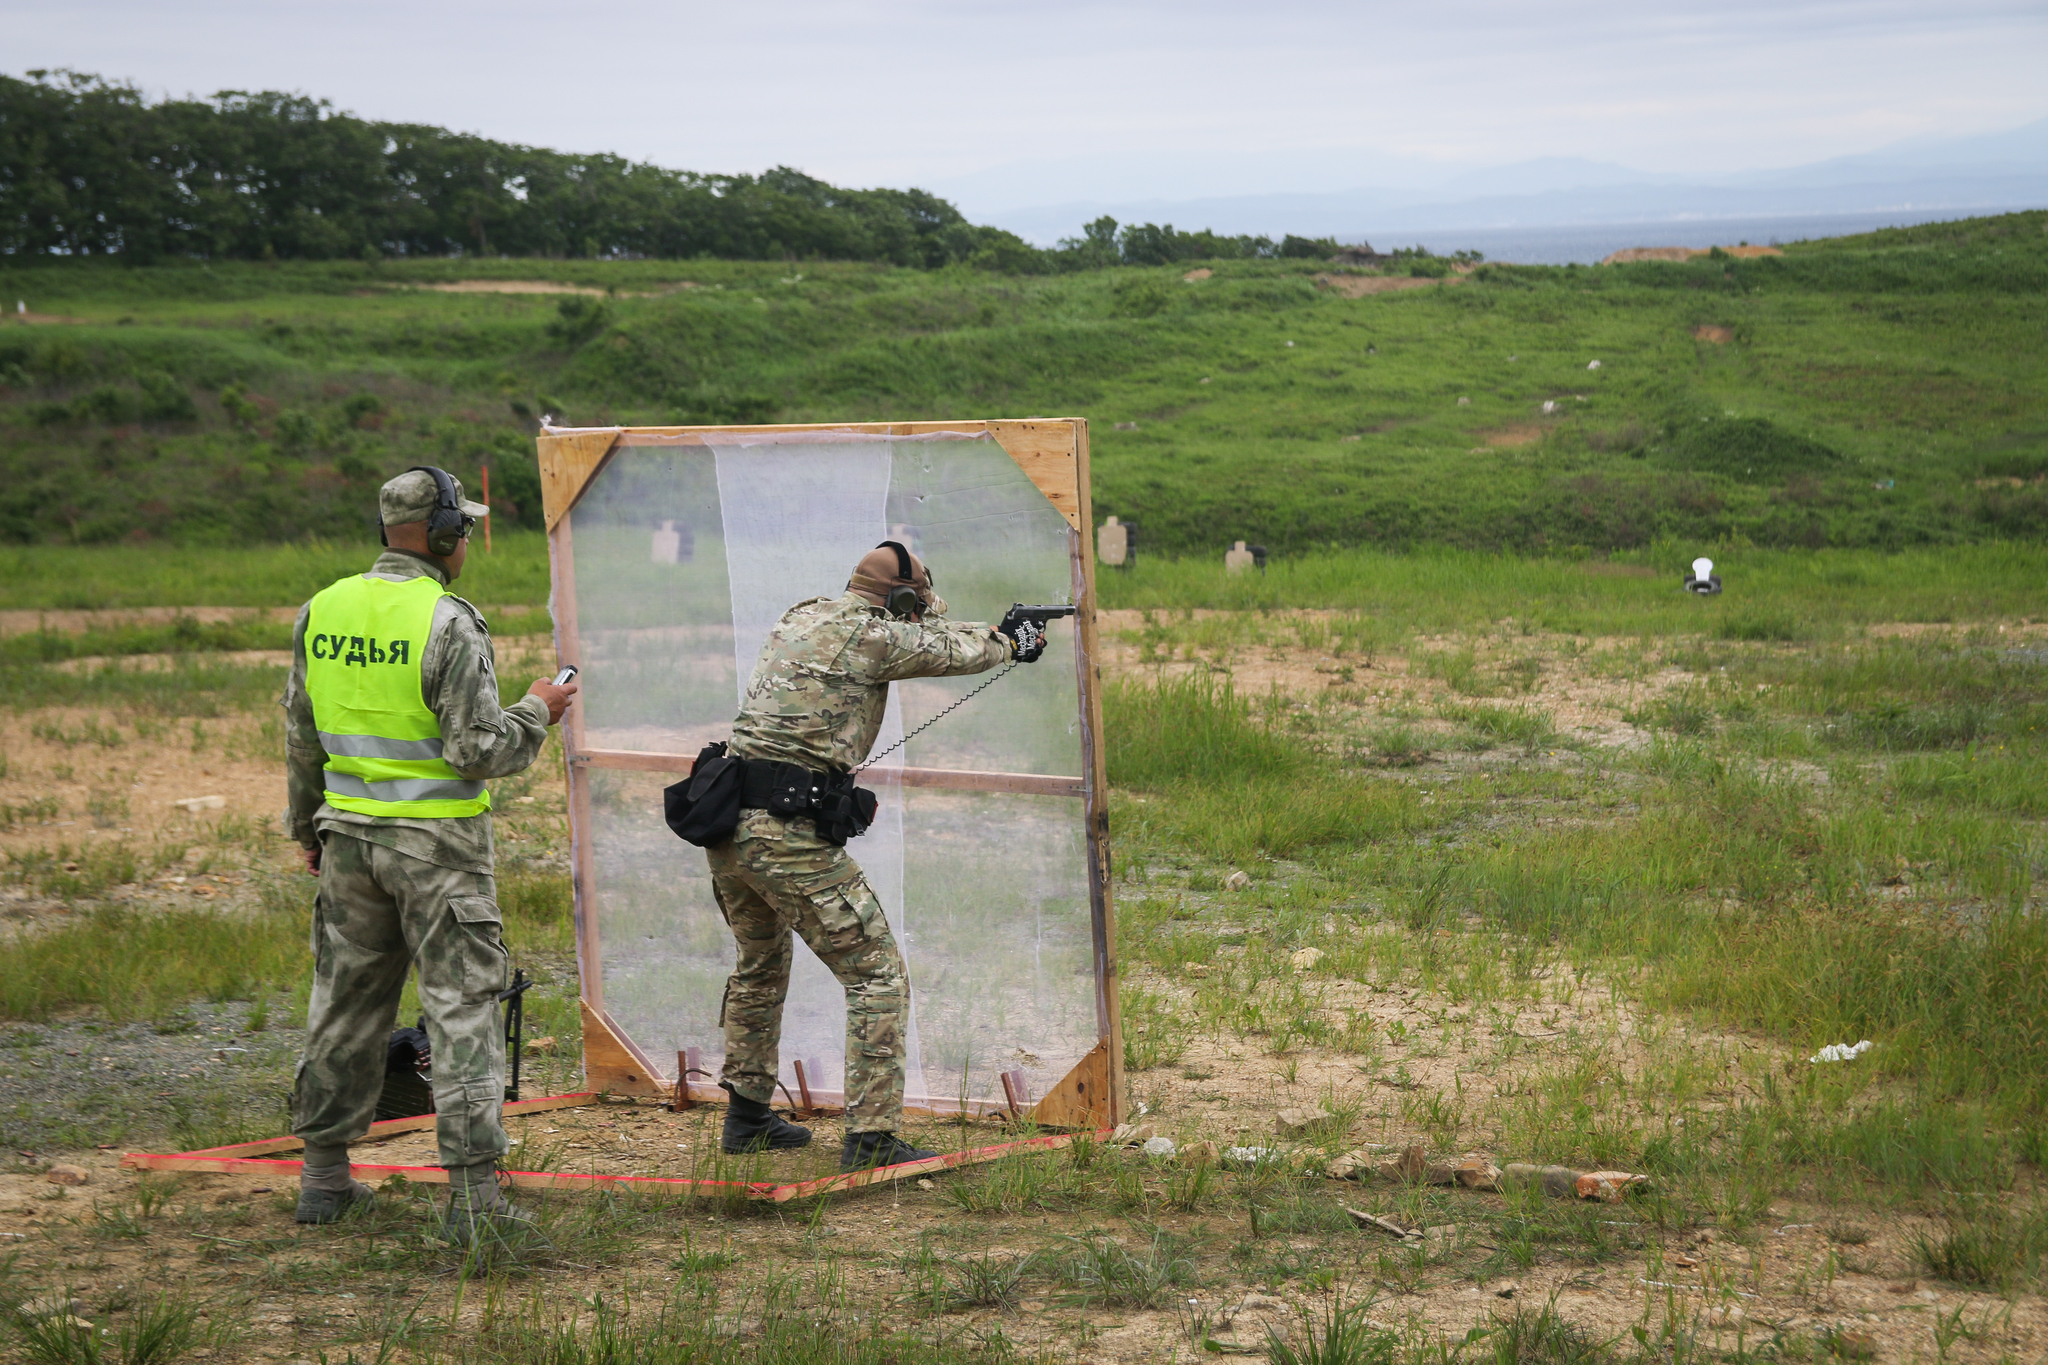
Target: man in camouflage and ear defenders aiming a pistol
(816, 701)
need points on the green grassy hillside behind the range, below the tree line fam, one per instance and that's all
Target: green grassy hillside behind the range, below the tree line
(1875, 392)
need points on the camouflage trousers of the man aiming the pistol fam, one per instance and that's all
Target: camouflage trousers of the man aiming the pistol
(775, 877)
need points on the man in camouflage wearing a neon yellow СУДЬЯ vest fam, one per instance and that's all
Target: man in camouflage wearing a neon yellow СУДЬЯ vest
(392, 725)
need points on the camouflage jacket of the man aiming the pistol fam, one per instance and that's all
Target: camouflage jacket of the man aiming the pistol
(824, 672)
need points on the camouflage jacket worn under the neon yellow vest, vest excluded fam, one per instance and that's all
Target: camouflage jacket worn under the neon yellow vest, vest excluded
(480, 738)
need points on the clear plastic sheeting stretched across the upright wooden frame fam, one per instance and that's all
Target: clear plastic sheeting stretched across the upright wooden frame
(683, 558)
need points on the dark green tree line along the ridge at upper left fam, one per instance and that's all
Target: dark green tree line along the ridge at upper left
(93, 169)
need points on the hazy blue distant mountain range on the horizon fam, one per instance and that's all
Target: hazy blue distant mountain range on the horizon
(1994, 171)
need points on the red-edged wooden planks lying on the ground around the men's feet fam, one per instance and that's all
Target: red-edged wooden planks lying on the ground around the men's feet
(257, 1159)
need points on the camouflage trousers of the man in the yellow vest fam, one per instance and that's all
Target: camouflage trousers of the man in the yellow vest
(378, 916)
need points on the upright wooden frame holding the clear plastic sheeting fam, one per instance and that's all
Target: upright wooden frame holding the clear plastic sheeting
(1054, 455)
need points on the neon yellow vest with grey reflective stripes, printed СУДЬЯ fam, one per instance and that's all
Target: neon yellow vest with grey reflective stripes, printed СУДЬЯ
(364, 644)
